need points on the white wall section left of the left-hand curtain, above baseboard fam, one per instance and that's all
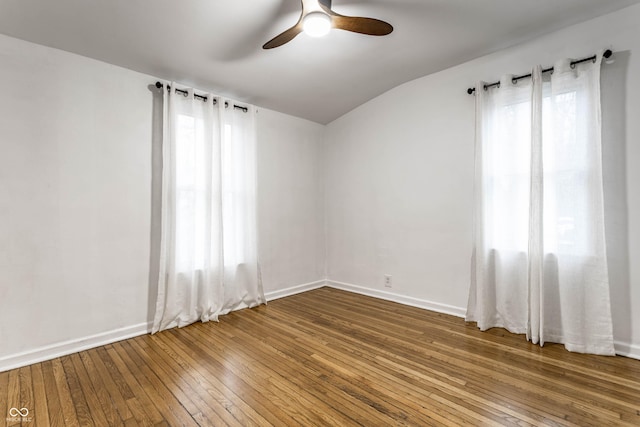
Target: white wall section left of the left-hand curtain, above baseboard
(75, 173)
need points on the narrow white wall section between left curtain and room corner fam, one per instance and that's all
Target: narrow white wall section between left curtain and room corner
(291, 203)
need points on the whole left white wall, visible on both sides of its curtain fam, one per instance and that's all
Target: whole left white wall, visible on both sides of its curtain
(79, 193)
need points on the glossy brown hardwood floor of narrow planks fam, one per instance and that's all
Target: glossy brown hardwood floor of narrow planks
(328, 358)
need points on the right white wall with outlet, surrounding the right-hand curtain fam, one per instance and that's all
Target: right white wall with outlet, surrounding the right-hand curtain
(399, 176)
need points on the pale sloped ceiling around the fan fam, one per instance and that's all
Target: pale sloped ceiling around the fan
(216, 45)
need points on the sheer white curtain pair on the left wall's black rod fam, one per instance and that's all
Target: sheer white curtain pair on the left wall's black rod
(208, 255)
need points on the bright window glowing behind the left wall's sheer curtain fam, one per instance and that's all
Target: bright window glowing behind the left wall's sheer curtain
(215, 188)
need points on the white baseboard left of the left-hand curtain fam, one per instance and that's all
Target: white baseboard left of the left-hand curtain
(72, 346)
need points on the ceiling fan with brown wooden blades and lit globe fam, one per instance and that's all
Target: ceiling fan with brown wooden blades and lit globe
(317, 18)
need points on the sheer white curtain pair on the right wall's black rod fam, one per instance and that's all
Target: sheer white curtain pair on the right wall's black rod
(539, 262)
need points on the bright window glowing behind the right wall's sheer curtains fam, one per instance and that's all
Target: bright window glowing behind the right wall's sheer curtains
(566, 175)
